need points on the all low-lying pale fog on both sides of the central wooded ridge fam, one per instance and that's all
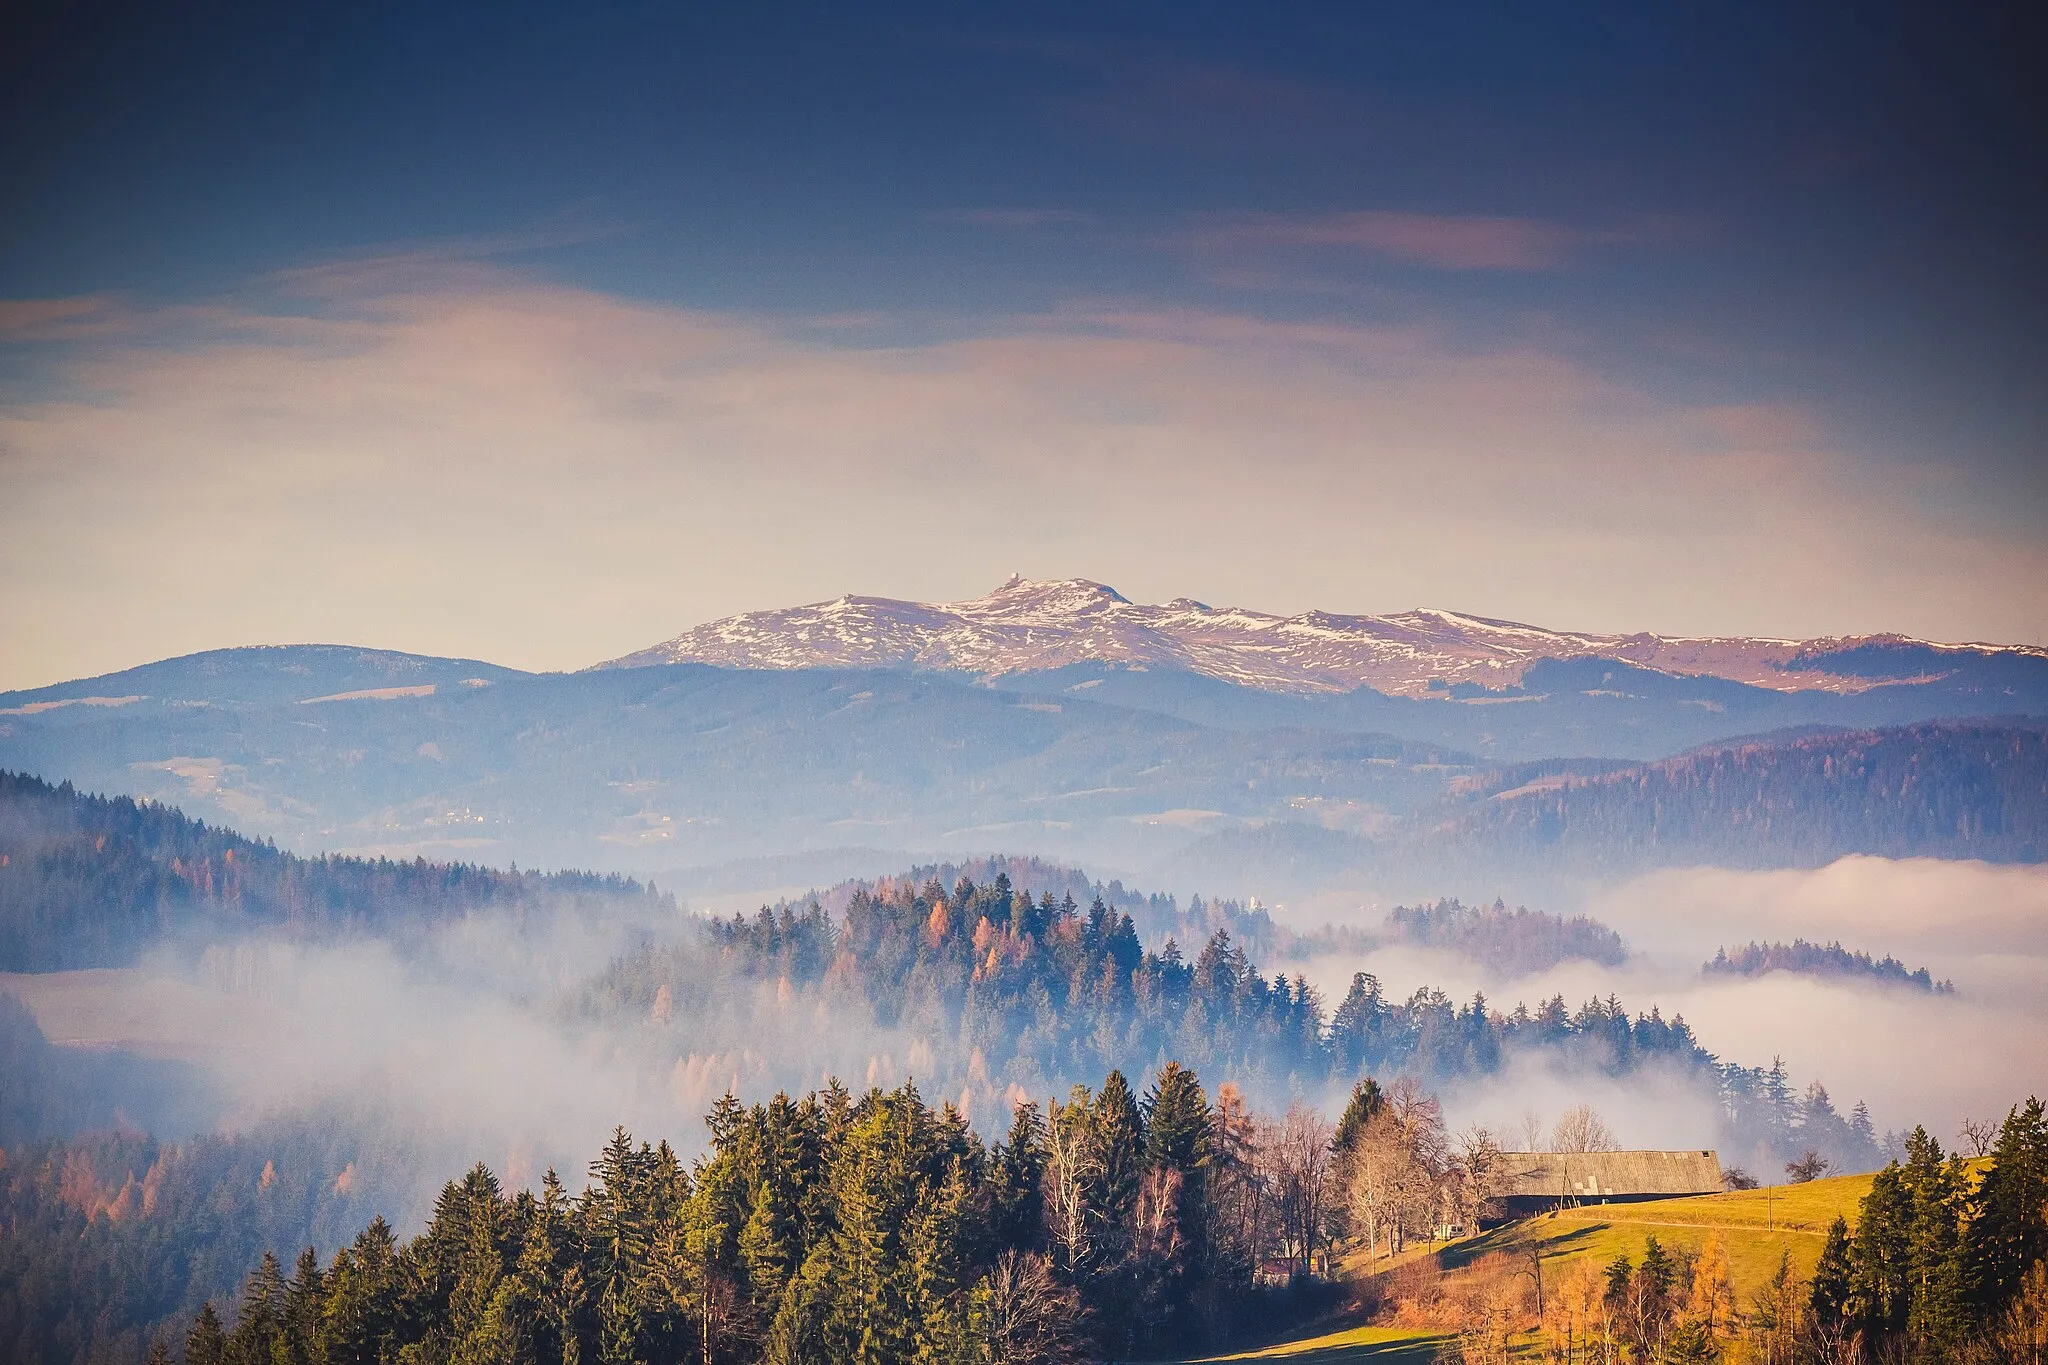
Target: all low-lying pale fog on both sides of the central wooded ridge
(472, 1041)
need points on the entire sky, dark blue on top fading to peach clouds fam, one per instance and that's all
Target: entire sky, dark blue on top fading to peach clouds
(546, 333)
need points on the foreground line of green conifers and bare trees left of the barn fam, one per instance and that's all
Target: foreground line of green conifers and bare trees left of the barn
(841, 1229)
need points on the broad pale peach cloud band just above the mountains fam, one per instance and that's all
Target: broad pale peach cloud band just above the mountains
(466, 459)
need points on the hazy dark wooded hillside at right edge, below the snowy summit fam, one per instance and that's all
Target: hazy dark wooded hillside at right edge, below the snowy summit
(1965, 789)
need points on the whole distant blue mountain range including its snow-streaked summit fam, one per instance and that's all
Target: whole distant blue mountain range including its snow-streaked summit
(1203, 750)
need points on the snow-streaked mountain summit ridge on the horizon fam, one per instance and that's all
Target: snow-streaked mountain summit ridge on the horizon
(1029, 627)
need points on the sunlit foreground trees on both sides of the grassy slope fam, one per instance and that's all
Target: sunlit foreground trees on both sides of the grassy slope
(878, 1231)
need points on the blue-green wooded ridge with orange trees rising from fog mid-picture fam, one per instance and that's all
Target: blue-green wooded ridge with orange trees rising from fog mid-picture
(1033, 992)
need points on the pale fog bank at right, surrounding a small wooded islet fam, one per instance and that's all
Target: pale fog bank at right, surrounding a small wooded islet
(1914, 1057)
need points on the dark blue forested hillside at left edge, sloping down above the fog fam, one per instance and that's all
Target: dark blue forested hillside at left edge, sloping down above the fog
(91, 881)
